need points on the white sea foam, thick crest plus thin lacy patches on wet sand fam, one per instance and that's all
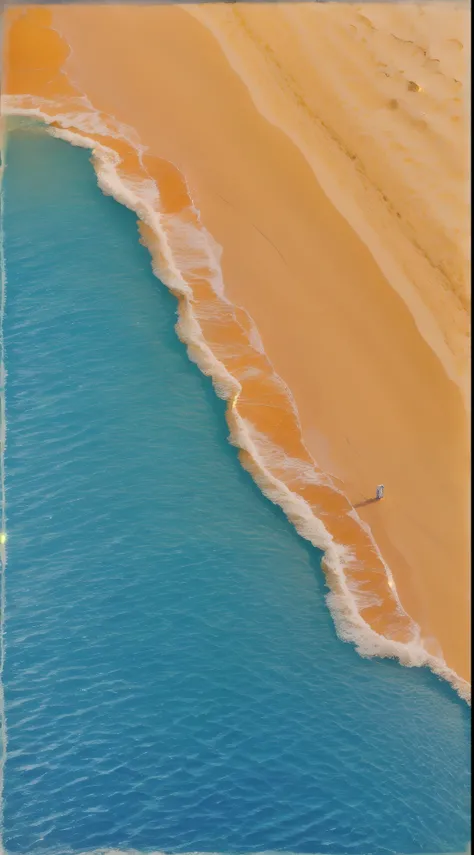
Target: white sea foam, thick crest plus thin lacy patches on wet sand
(141, 196)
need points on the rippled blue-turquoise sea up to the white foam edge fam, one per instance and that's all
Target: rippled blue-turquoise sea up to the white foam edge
(173, 680)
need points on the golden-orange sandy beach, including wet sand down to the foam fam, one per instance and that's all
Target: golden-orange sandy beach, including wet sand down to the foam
(324, 148)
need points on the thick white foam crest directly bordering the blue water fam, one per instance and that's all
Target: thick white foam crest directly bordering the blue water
(342, 603)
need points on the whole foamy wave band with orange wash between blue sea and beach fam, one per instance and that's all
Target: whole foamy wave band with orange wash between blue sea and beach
(222, 340)
